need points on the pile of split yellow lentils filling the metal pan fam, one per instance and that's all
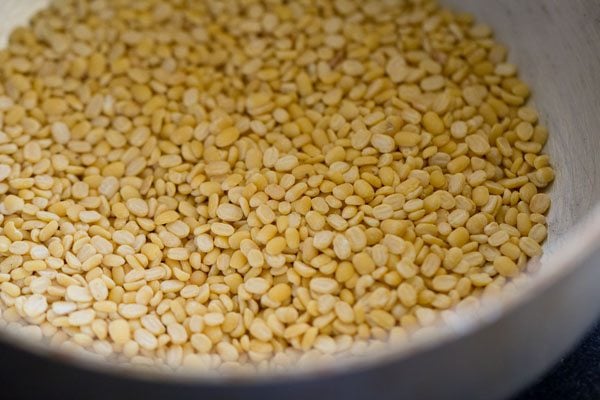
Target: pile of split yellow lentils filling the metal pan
(243, 182)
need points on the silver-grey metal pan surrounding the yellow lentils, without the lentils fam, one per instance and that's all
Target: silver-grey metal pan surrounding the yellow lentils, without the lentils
(511, 341)
